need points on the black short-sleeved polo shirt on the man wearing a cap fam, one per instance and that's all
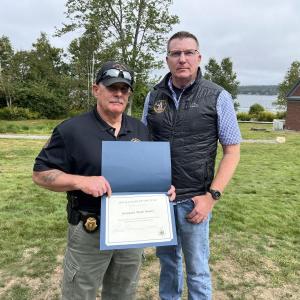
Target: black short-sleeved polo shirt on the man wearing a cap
(75, 148)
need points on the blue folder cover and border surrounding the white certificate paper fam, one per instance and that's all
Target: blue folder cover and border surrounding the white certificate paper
(133, 169)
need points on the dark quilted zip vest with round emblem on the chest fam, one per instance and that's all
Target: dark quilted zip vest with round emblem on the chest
(192, 132)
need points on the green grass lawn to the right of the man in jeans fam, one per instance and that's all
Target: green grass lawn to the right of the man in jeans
(255, 233)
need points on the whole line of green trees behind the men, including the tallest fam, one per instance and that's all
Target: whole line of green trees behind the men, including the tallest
(53, 82)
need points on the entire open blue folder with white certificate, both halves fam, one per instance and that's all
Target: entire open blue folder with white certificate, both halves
(139, 213)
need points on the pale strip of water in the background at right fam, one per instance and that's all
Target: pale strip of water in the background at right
(265, 100)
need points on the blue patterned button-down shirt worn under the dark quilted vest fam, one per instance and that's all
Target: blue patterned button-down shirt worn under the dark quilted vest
(228, 128)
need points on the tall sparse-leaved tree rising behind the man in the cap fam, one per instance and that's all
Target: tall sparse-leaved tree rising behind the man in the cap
(133, 31)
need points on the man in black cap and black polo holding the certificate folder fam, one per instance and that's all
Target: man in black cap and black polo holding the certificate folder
(71, 162)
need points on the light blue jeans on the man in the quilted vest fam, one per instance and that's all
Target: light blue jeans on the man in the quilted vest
(193, 240)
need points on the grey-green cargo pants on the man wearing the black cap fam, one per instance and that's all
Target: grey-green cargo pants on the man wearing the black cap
(86, 268)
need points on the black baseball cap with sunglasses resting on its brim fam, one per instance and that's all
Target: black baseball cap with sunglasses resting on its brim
(114, 72)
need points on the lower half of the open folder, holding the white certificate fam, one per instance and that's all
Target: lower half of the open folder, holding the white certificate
(137, 221)
